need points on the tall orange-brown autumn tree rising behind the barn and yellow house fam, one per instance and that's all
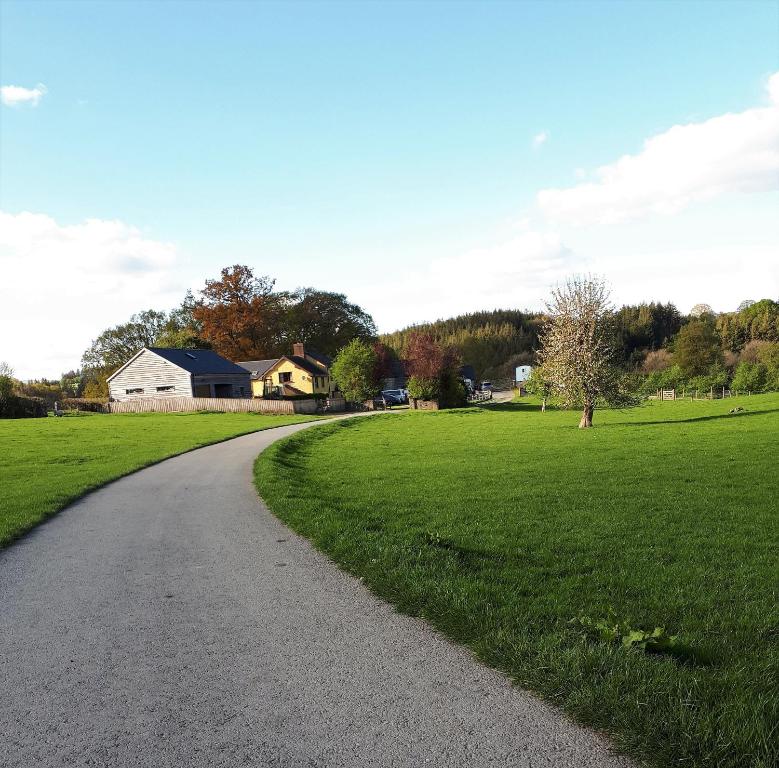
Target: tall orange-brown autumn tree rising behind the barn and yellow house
(240, 315)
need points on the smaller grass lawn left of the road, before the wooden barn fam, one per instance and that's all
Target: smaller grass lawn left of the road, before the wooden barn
(47, 463)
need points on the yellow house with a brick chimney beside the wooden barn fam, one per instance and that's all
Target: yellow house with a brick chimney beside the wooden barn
(304, 372)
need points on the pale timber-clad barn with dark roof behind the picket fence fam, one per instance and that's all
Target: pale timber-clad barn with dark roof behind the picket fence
(161, 372)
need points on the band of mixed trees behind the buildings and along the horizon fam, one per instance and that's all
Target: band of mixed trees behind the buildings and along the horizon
(242, 316)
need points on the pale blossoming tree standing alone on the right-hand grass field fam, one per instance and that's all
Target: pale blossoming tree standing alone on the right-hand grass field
(577, 347)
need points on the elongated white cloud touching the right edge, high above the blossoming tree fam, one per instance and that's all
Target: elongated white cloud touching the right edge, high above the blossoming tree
(734, 152)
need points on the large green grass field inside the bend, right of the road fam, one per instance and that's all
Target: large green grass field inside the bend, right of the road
(500, 525)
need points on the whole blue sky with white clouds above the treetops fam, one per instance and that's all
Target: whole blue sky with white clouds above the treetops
(425, 159)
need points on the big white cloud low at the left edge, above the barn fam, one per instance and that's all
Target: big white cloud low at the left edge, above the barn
(63, 284)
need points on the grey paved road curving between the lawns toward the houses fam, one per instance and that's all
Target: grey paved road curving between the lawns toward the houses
(170, 620)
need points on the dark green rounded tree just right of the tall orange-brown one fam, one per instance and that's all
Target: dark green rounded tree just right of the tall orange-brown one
(325, 321)
